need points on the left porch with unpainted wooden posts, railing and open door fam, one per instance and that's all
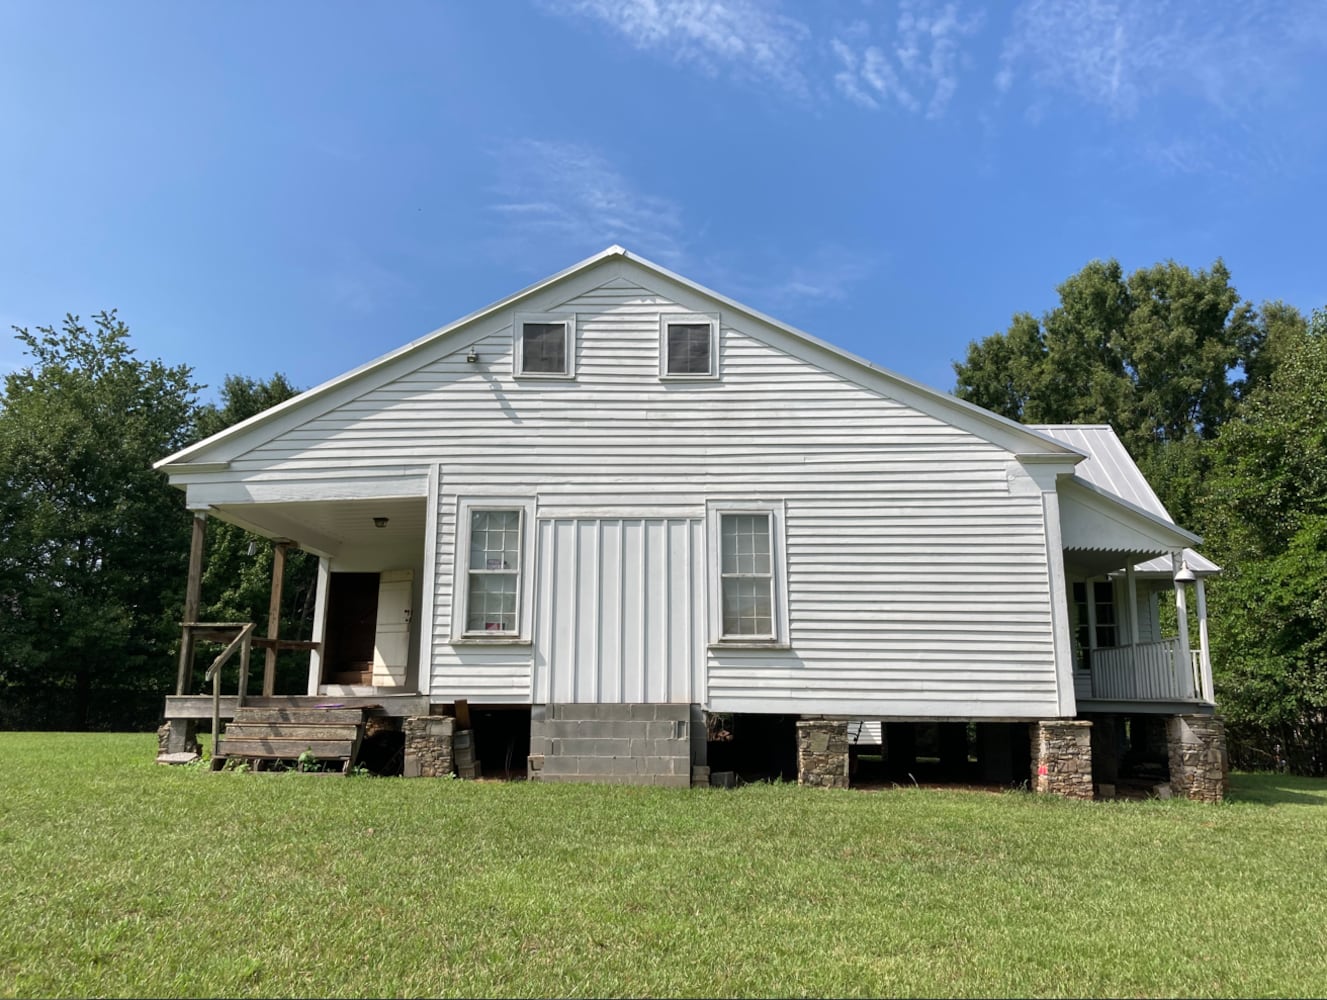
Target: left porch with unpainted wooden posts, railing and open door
(367, 640)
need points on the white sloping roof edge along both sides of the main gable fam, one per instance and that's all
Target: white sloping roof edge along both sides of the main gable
(212, 453)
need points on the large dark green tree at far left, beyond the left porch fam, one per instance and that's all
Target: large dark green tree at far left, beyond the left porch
(92, 540)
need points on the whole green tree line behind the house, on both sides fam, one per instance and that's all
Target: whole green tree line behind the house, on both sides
(1222, 404)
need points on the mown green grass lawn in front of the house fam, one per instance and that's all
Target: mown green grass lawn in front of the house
(124, 879)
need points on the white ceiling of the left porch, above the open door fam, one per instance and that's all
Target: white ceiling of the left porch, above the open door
(334, 527)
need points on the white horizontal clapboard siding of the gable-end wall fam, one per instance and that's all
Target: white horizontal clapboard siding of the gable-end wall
(918, 580)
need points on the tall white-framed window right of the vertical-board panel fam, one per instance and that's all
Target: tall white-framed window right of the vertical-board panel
(749, 574)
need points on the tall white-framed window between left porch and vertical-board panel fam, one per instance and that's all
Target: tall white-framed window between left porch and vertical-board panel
(493, 580)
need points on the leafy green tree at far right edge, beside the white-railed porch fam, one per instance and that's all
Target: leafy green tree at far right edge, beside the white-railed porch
(1268, 510)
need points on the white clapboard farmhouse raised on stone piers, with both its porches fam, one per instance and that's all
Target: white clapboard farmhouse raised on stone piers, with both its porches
(630, 530)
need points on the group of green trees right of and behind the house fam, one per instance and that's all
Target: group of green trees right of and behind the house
(1224, 406)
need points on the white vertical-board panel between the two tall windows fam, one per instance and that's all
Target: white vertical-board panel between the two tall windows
(620, 619)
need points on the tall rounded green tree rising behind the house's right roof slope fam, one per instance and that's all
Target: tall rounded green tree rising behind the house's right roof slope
(1156, 355)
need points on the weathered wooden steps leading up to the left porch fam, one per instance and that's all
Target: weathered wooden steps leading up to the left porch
(265, 735)
